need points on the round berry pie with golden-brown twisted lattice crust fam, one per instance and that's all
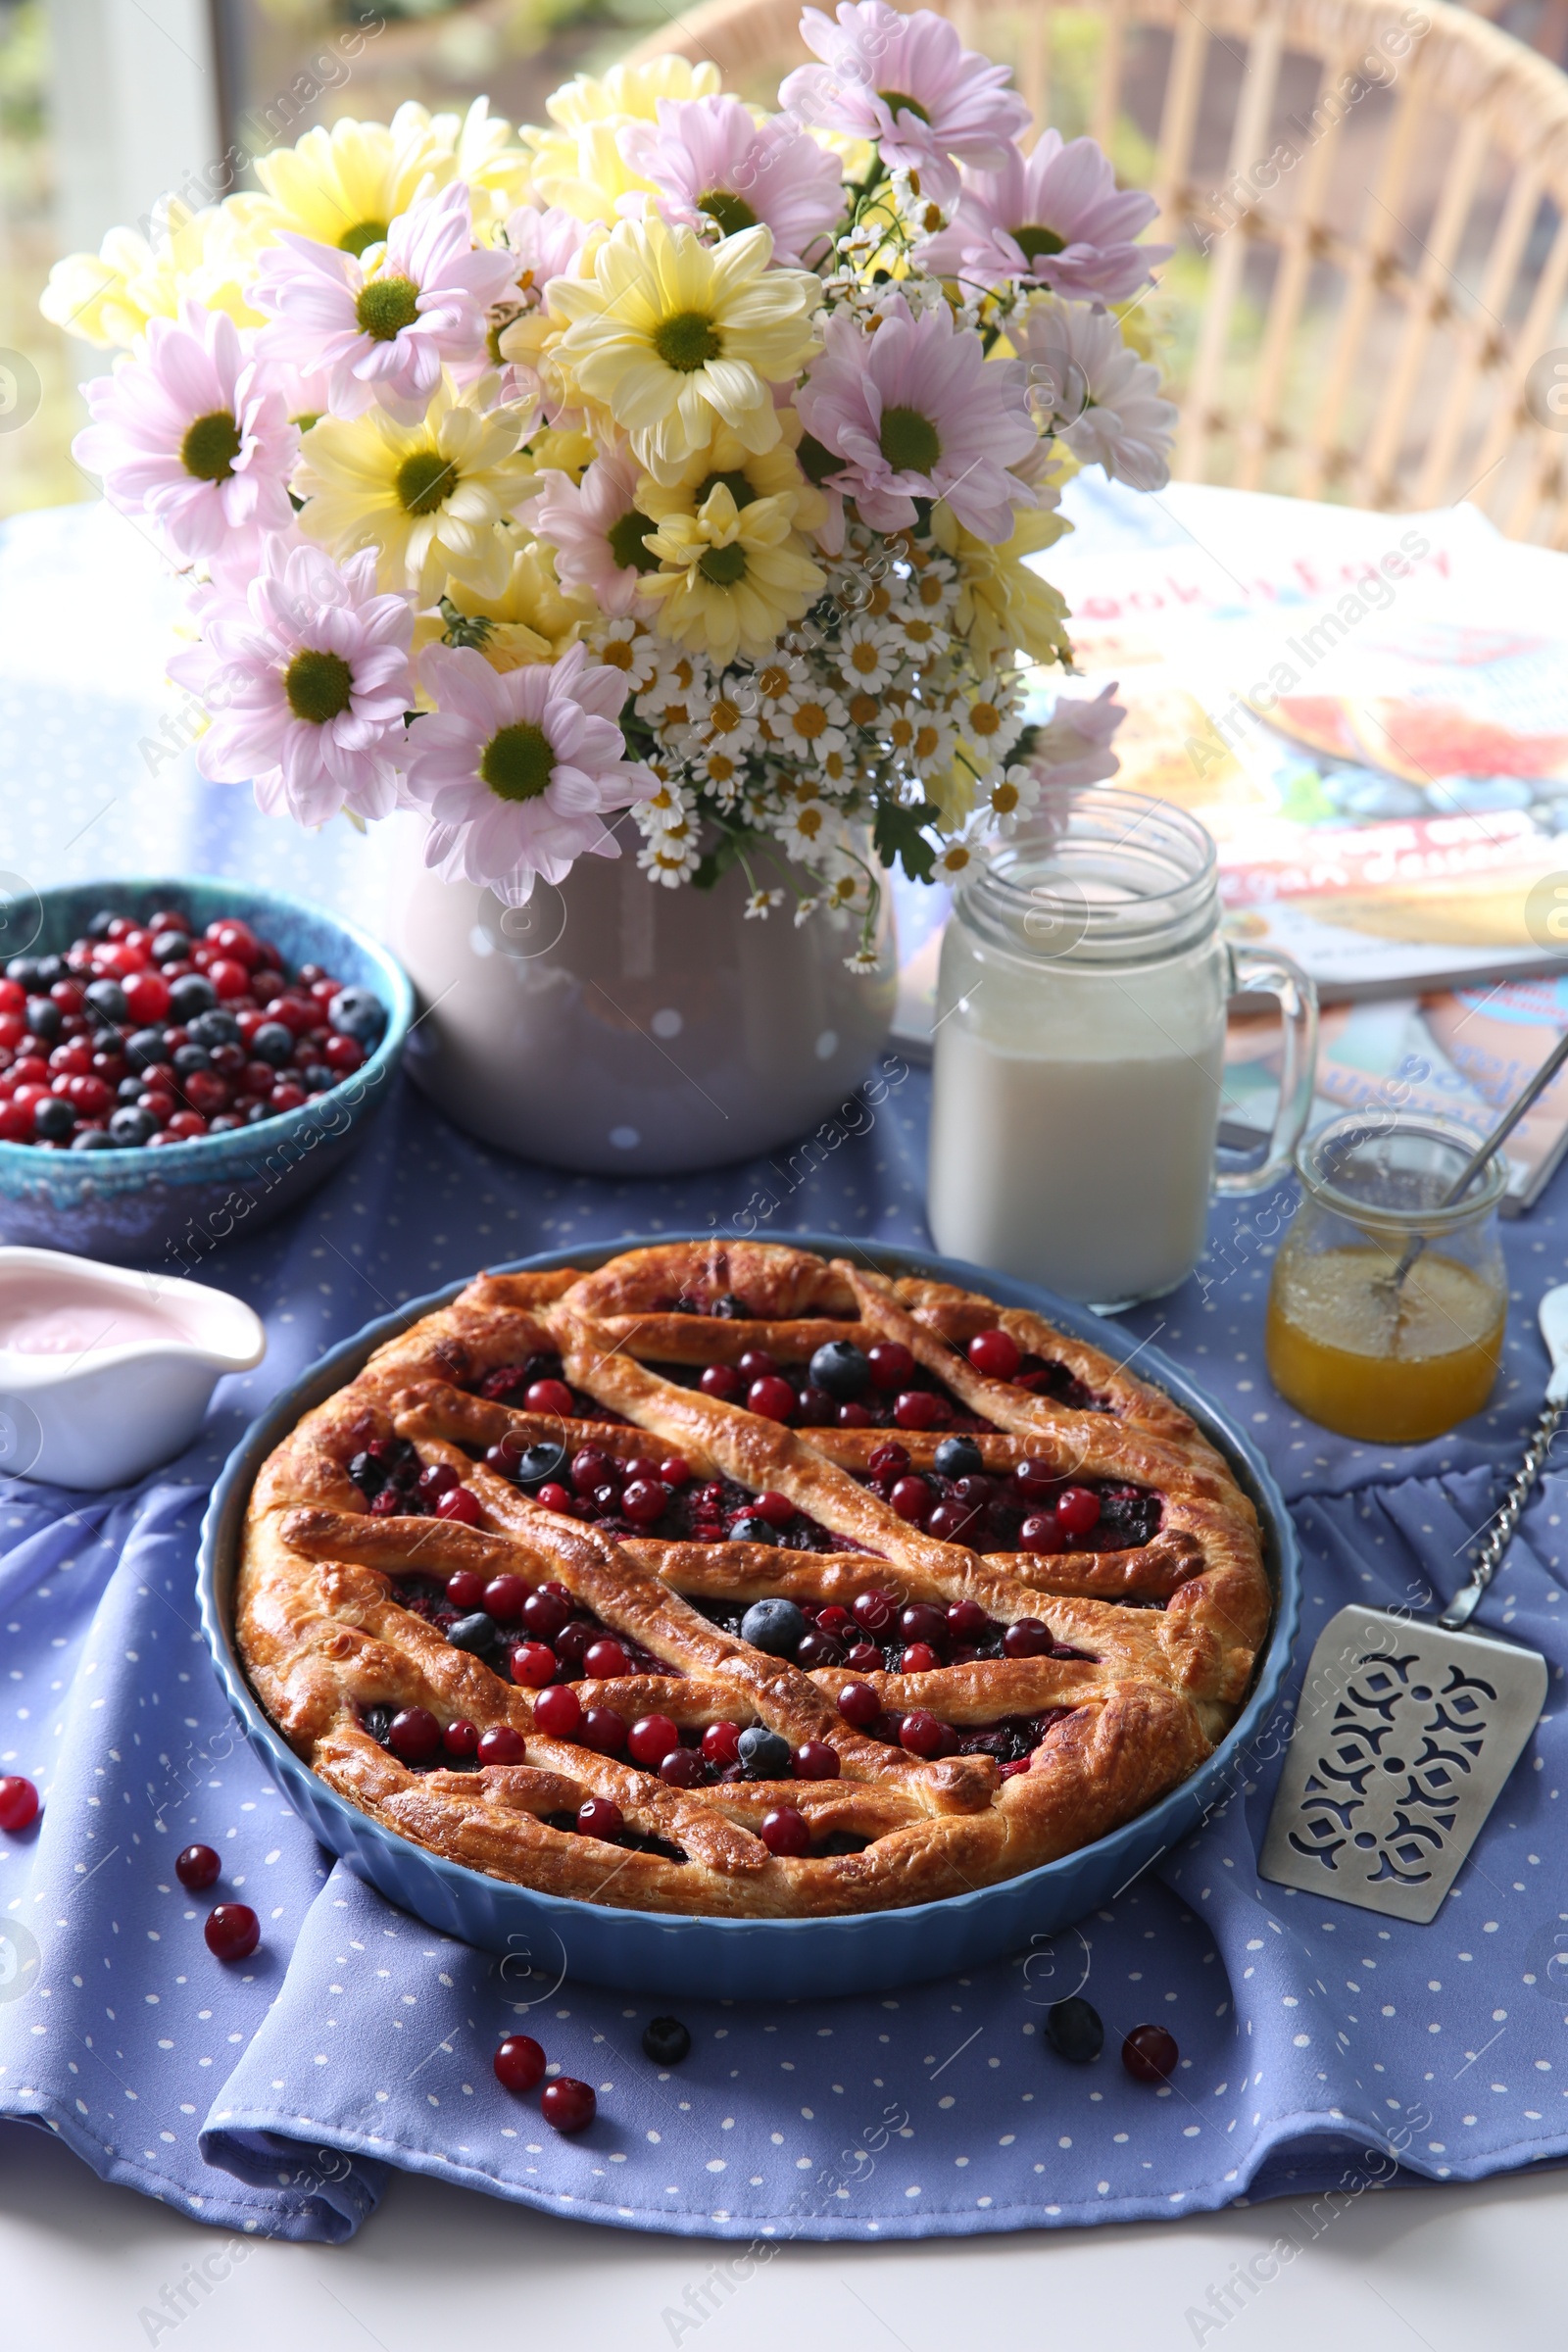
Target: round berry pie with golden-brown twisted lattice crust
(742, 1582)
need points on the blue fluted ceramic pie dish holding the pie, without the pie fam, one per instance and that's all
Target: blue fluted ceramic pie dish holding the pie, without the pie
(744, 1958)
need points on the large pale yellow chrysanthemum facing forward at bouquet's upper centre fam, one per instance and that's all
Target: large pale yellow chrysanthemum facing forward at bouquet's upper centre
(674, 338)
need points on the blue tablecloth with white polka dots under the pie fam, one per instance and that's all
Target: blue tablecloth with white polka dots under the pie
(1322, 2052)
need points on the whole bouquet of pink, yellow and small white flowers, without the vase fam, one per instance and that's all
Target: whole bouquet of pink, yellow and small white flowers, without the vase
(674, 457)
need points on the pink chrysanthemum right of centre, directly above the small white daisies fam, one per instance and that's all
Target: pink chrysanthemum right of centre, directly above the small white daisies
(916, 410)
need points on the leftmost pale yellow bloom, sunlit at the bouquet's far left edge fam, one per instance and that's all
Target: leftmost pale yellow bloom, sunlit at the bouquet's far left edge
(112, 295)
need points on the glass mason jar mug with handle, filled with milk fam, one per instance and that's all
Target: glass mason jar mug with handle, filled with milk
(1080, 1043)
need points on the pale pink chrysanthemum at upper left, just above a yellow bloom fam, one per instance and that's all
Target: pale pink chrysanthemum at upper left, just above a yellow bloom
(384, 338)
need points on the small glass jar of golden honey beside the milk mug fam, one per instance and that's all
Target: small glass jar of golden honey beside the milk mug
(1346, 1342)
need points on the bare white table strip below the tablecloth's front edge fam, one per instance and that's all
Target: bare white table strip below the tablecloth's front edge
(448, 2271)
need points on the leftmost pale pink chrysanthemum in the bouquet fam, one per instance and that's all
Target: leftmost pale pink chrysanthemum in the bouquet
(194, 434)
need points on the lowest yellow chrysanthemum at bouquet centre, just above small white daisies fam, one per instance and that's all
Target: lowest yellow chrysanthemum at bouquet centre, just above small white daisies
(737, 577)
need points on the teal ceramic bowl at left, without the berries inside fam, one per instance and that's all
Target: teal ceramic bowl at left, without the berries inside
(173, 1208)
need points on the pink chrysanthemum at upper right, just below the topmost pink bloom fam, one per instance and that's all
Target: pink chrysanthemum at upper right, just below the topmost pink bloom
(1054, 218)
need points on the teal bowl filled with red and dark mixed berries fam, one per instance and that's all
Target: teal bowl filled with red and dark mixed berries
(180, 1062)
